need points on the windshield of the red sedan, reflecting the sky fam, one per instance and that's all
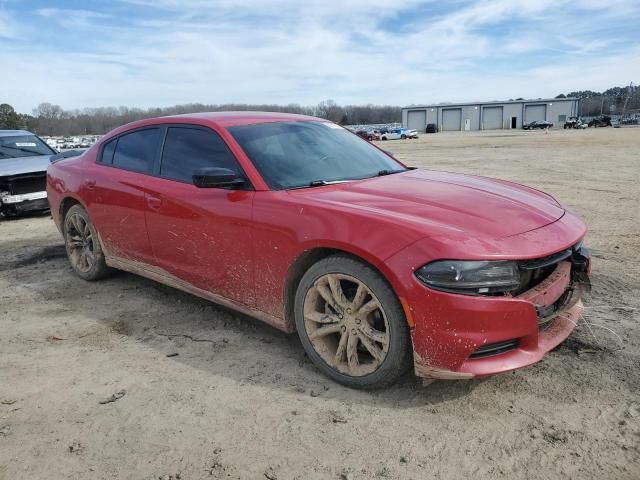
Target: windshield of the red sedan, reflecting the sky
(299, 154)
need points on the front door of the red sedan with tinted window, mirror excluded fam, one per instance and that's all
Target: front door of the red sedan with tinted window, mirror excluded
(201, 235)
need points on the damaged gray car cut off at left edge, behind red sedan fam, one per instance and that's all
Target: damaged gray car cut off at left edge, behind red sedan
(24, 159)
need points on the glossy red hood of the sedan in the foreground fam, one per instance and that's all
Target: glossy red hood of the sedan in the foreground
(434, 202)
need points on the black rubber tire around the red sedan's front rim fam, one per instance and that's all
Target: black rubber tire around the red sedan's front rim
(399, 355)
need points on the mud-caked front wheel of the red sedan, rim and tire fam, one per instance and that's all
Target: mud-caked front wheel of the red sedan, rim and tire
(351, 323)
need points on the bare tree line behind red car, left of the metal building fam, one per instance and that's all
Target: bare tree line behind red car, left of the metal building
(52, 120)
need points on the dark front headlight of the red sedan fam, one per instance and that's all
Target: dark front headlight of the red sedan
(471, 277)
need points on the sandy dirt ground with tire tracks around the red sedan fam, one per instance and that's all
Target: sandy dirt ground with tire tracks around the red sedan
(240, 400)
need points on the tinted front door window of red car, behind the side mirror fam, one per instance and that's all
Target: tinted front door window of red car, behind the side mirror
(187, 149)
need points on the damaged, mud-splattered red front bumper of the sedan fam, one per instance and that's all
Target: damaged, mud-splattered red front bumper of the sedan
(463, 337)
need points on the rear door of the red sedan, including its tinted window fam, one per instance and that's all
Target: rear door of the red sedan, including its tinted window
(117, 199)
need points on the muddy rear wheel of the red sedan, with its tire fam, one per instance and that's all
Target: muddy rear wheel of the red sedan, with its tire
(82, 245)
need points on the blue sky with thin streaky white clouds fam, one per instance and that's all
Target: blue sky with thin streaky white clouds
(147, 53)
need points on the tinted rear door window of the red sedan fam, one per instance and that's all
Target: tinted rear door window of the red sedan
(136, 151)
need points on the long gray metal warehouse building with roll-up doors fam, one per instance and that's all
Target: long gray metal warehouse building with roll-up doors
(489, 115)
